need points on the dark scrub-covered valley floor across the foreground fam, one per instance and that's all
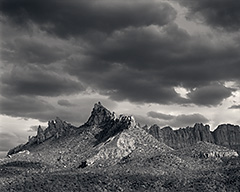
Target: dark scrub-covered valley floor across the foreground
(34, 176)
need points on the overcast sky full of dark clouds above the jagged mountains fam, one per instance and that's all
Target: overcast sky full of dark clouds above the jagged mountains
(170, 62)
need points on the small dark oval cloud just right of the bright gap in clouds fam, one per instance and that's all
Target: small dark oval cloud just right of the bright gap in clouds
(210, 95)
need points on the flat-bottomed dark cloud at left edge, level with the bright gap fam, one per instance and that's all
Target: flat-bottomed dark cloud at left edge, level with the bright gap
(33, 80)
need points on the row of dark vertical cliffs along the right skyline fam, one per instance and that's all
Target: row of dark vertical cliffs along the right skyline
(225, 135)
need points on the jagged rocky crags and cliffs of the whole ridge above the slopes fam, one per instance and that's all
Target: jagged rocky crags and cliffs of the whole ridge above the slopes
(105, 124)
